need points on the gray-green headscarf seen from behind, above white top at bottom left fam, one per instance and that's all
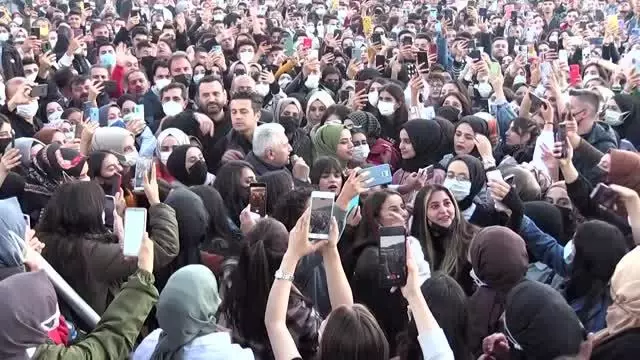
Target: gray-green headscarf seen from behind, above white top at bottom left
(186, 310)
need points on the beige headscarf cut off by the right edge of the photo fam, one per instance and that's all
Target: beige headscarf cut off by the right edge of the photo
(624, 313)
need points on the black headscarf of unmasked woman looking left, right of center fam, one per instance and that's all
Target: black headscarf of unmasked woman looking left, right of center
(428, 143)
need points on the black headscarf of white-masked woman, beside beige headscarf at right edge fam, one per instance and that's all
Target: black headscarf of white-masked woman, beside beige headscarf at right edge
(599, 247)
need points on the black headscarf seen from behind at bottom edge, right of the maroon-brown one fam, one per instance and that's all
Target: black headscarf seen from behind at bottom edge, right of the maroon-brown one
(539, 319)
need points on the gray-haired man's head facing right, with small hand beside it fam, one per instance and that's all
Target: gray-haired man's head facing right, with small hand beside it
(271, 151)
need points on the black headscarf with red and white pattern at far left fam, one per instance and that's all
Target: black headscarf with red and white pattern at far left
(50, 168)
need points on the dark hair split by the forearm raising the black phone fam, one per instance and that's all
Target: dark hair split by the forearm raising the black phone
(448, 303)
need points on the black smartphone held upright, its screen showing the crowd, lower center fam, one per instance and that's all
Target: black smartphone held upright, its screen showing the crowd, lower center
(392, 256)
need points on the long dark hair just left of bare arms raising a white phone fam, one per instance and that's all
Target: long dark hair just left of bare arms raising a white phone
(245, 302)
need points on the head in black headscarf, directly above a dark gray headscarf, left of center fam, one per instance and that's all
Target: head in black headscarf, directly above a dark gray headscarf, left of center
(187, 165)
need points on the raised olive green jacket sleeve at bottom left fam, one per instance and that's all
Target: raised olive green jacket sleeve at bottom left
(114, 336)
